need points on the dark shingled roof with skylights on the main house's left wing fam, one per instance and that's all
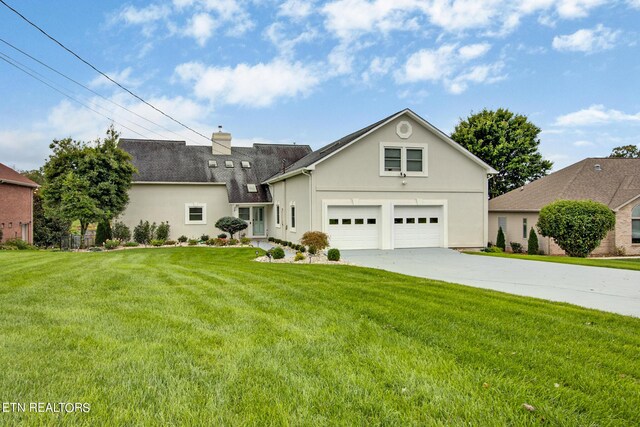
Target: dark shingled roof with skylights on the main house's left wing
(177, 162)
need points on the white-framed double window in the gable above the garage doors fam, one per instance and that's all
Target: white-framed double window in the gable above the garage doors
(399, 159)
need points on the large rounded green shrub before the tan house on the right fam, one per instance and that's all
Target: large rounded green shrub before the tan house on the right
(577, 226)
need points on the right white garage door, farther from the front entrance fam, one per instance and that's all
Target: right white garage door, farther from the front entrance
(418, 227)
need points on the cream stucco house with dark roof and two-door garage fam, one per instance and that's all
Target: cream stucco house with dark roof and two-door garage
(398, 183)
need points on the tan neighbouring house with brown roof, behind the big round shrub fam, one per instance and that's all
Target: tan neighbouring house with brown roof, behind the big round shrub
(614, 182)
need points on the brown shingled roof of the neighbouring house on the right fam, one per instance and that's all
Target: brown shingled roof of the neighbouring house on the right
(615, 184)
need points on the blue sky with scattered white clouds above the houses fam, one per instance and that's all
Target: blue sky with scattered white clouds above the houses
(311, 72)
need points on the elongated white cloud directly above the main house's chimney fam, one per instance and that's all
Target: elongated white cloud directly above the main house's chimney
(258, 85)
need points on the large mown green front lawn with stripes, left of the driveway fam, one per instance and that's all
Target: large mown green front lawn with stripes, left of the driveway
(202, 336)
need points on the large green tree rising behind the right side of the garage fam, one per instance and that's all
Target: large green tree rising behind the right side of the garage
(506, 141)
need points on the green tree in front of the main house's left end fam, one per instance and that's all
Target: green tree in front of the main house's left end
(88, 182)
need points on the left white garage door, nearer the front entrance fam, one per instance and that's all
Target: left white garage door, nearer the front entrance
(354, 227)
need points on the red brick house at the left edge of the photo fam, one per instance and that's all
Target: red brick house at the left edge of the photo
(16, 205)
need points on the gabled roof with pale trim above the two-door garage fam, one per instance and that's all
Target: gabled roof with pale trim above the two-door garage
(317, 156)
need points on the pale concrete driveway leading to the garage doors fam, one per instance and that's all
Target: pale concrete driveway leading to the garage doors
(607, 289)
